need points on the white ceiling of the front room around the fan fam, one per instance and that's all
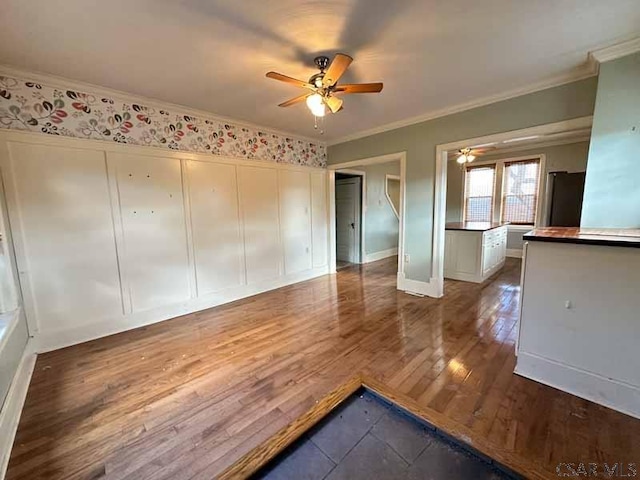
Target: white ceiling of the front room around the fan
(212, 54)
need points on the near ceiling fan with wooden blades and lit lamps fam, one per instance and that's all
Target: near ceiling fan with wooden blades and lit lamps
(322, 88)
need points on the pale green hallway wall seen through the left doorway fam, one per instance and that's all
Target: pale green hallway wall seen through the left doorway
(381, 223)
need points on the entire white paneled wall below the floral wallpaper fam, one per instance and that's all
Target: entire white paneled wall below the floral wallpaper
(111, 237)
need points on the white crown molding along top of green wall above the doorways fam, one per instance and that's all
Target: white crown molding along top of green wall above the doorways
(588, 70)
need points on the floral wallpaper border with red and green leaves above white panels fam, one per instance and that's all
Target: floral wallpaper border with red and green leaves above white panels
(37, 107)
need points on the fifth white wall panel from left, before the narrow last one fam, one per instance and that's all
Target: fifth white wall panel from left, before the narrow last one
(295, 220)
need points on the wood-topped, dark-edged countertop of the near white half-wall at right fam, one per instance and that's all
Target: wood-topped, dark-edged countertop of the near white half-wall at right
(588, 236)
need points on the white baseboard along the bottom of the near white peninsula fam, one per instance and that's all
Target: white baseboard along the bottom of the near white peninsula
(618, 396)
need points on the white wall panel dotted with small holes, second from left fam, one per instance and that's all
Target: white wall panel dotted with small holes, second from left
(154, 230)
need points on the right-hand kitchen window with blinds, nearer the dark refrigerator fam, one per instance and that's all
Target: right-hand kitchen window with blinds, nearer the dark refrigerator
(520, 192)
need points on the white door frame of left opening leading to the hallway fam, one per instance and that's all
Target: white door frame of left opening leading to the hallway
(347, 167)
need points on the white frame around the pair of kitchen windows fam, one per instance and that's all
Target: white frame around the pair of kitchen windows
(499, 185)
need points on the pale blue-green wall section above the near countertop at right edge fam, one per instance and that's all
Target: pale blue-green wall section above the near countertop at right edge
(612, 187)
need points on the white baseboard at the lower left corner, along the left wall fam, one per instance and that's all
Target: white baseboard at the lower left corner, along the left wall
(12, 407)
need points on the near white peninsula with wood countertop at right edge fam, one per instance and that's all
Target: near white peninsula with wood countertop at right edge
(579, 325)
